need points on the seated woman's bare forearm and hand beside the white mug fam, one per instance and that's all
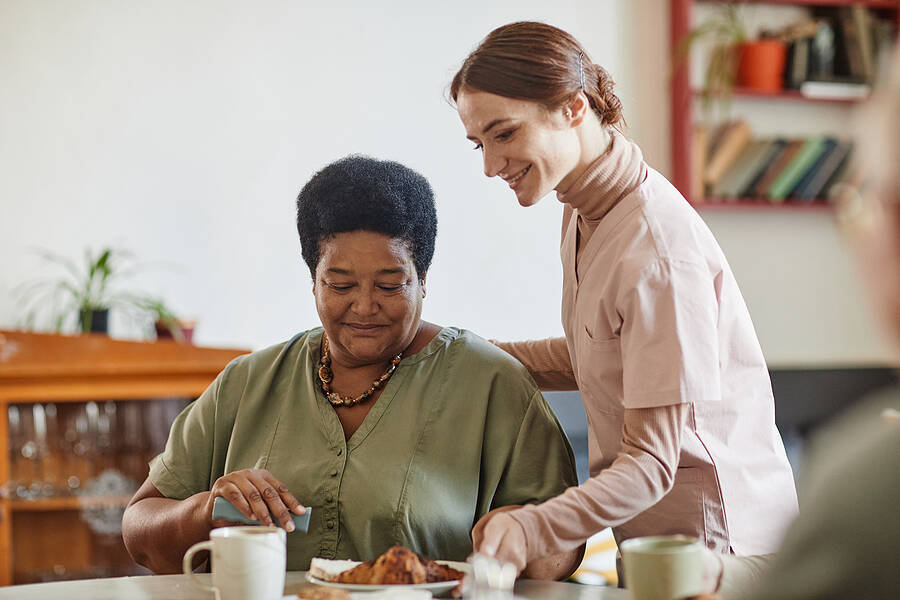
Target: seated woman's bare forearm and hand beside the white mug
(158, 531)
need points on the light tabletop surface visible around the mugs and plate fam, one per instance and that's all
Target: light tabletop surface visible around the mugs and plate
(177, 587)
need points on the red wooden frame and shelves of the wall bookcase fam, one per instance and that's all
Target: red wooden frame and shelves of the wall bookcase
(684, 98)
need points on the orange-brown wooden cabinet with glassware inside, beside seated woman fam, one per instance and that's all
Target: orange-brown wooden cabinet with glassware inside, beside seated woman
(79, 418)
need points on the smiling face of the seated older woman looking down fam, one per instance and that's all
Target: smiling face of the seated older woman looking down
(368, 296)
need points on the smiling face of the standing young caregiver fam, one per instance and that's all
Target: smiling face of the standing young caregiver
(533, 149)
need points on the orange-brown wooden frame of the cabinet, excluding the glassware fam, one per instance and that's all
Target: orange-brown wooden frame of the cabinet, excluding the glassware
(48, 532)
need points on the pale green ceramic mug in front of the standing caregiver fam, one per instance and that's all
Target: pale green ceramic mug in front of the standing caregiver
(663, 567)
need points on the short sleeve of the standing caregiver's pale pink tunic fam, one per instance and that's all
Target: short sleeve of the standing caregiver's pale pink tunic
(670, 349)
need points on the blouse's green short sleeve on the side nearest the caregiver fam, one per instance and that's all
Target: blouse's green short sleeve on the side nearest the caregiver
(541, 464)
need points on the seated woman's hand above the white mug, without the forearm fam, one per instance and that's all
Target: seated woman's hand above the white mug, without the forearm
(255, 493)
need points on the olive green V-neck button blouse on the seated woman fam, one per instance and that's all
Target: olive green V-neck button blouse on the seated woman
(459, 429)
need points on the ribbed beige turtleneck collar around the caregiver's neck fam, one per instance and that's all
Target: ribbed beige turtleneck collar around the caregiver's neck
(615, 174)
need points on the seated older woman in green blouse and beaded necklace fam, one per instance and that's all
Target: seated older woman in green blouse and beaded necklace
(394, 430)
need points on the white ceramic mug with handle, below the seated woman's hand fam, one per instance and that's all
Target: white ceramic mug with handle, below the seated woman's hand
(247, 562)
